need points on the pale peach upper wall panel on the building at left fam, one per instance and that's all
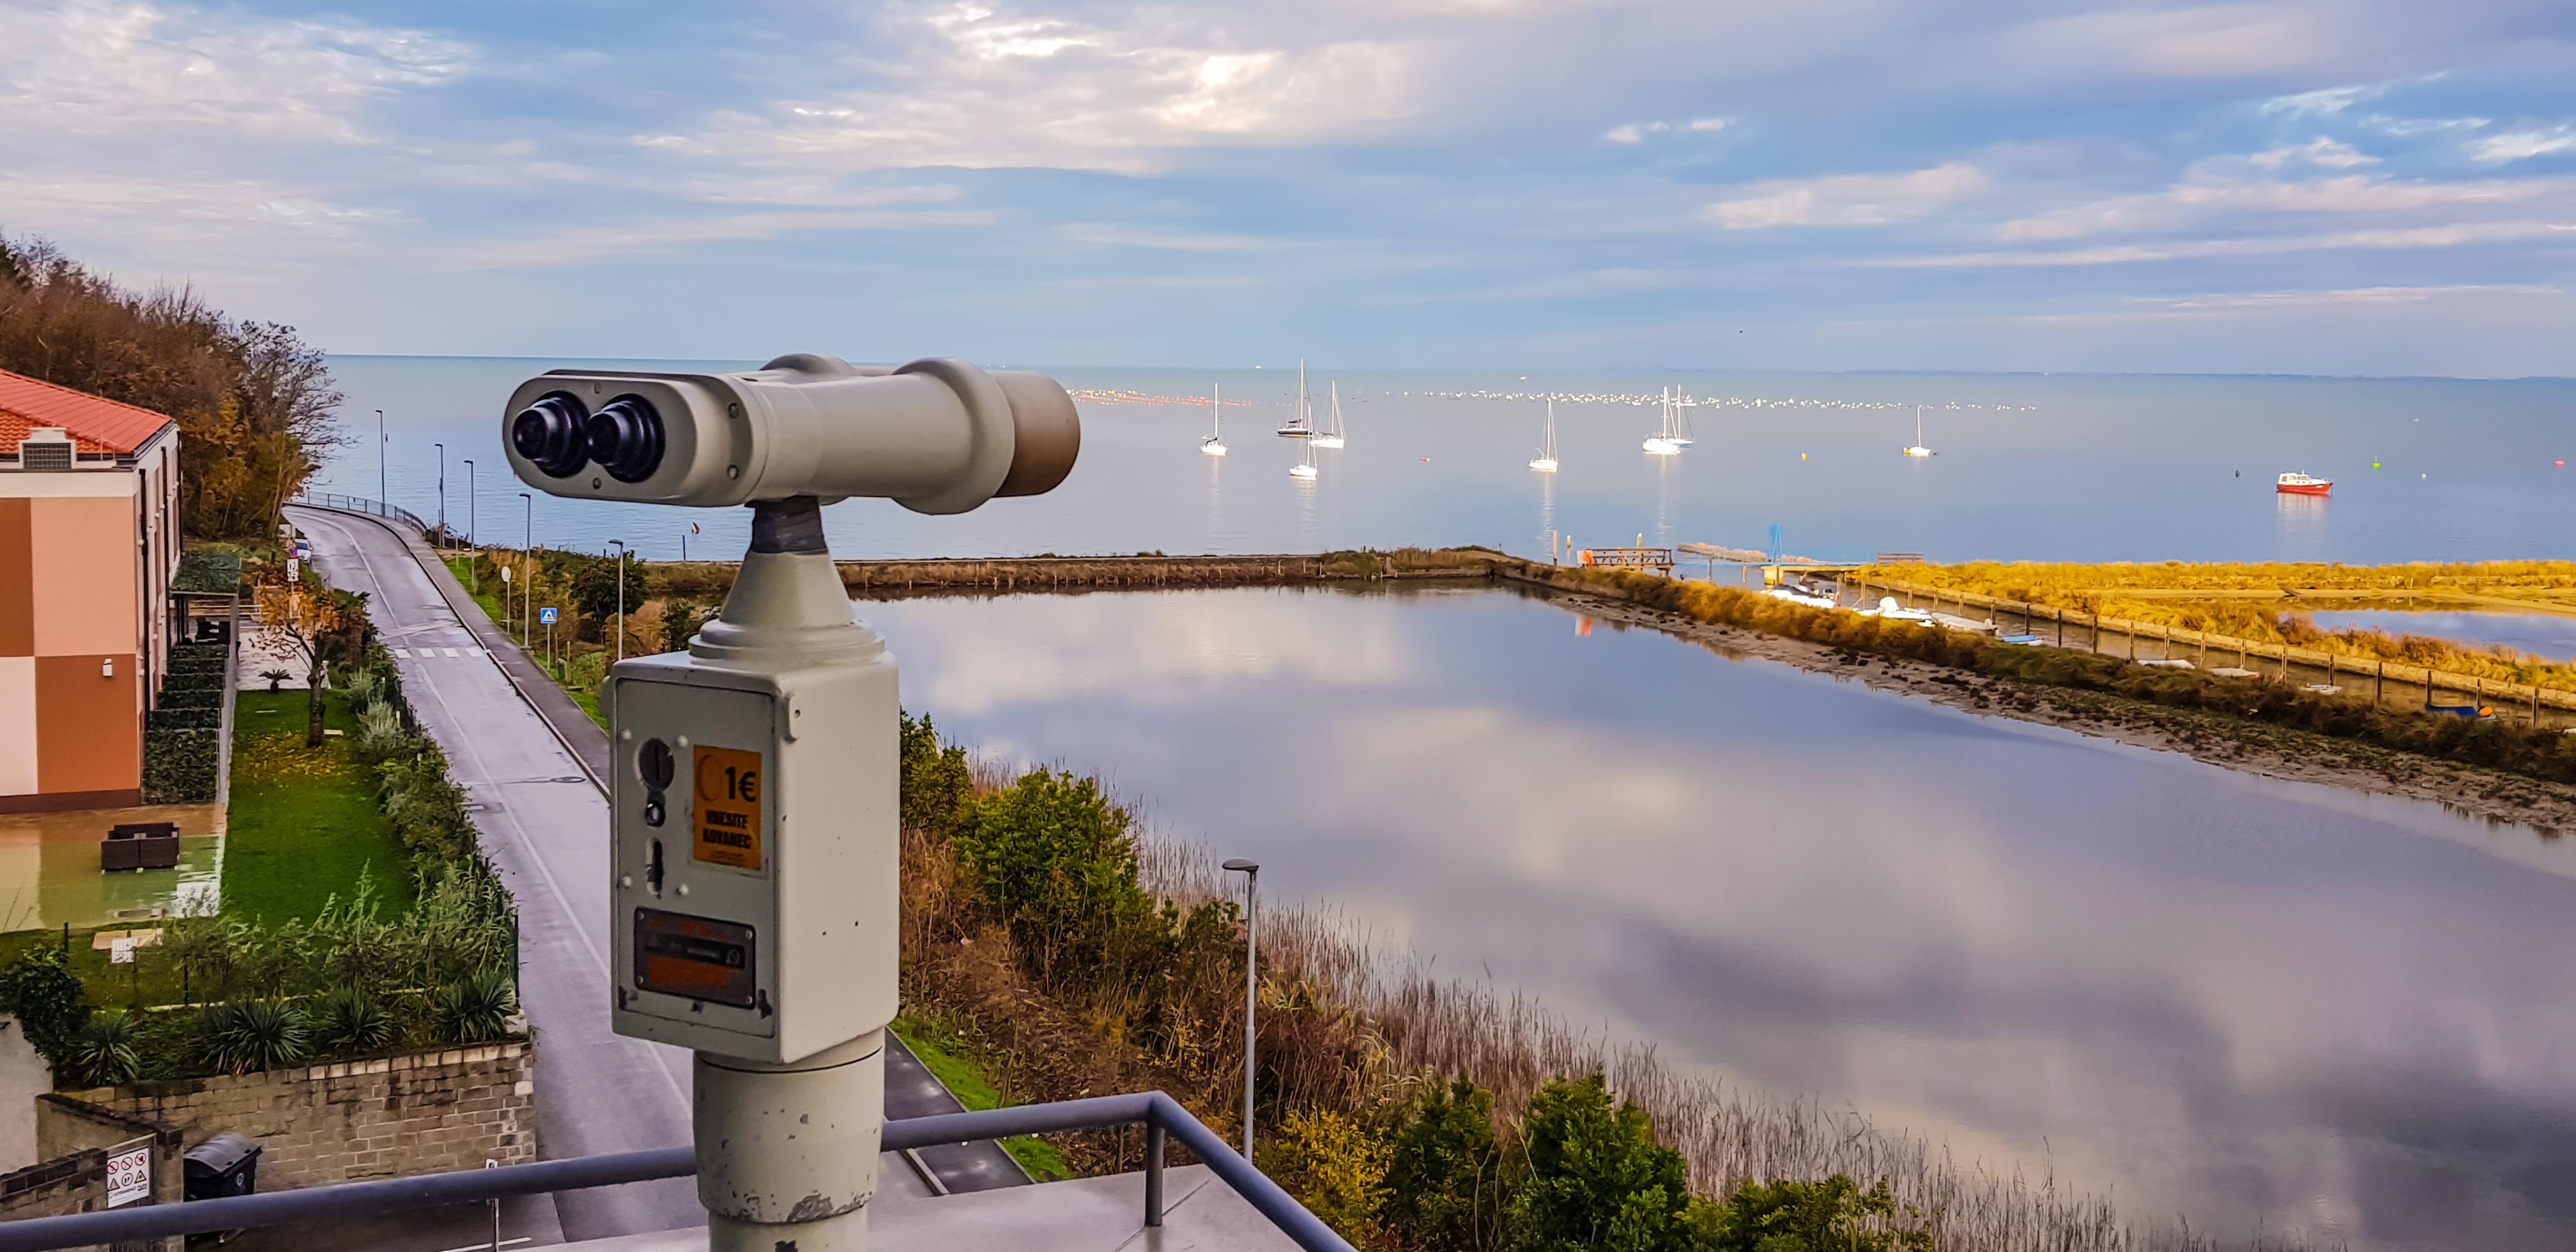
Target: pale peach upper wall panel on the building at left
(84, 563)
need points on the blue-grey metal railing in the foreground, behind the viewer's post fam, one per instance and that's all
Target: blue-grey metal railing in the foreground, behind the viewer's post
(1155, 1112)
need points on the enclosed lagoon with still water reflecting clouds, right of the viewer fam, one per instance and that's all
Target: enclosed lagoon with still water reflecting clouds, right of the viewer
(2248, 1003)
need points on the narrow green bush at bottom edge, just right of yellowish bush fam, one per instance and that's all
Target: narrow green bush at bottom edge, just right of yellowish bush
(1446, 1176)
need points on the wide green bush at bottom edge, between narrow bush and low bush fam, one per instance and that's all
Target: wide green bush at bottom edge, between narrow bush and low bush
(1596, 1176)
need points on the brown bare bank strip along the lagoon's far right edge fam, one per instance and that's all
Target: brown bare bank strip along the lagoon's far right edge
(2235, 743)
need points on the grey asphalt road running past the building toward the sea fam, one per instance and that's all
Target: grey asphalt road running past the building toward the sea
(545, 826)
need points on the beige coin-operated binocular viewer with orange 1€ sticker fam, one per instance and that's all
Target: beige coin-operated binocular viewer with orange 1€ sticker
(753, 787)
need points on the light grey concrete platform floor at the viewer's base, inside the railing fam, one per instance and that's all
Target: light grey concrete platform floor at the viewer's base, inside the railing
(1088, 1215)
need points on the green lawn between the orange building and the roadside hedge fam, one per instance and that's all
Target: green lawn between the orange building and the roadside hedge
(303, 823)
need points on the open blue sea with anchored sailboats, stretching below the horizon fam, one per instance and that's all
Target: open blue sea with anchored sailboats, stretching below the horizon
(2031, 468)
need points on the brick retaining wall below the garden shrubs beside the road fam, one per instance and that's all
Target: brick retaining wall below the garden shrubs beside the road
(411, 1114)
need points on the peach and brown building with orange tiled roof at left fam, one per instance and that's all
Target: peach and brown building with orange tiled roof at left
(89, 547)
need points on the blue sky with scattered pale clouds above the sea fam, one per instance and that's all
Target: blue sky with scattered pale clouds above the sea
(2312, 187)
